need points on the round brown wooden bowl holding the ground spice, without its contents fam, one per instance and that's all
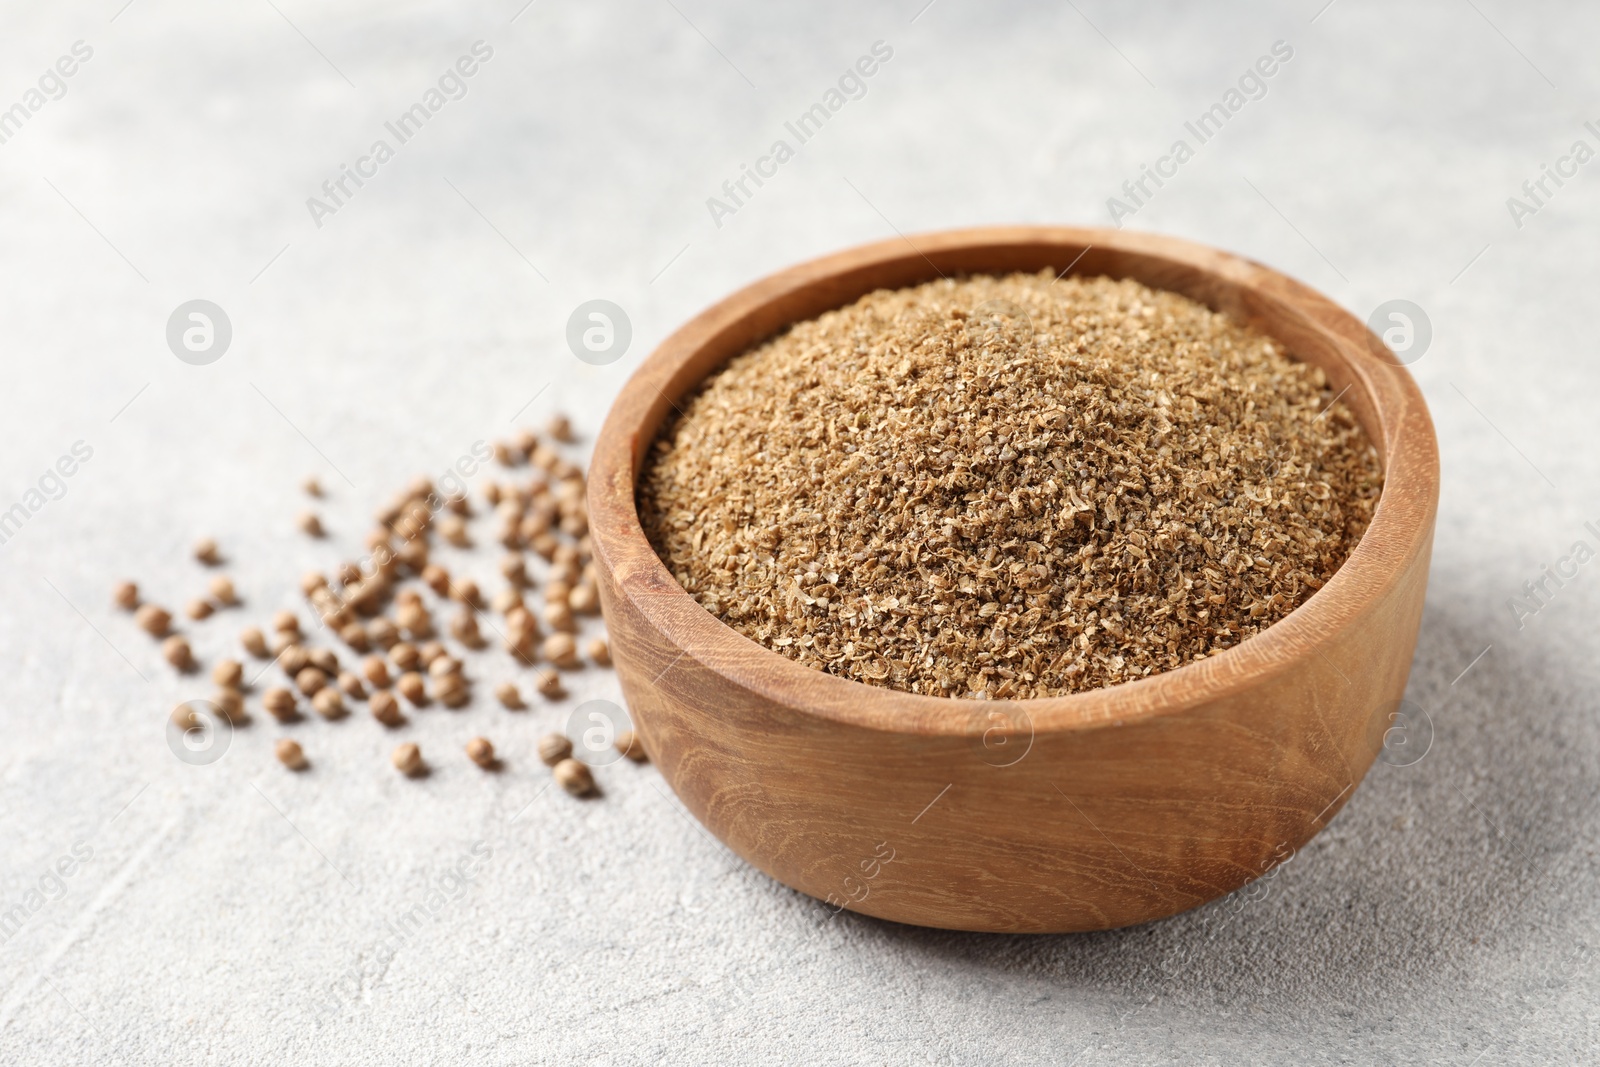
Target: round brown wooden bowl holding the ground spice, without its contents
(1086, 812)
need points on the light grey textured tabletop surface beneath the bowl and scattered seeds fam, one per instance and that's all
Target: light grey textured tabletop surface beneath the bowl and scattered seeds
(234, 913)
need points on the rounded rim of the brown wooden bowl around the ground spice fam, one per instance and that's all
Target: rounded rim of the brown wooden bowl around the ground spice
(1399, 532)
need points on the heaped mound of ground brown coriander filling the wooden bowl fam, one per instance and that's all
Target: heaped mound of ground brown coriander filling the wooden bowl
(1009, 487)
